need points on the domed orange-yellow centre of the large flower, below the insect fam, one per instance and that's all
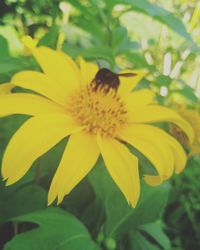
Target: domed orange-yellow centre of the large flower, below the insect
(99, 111)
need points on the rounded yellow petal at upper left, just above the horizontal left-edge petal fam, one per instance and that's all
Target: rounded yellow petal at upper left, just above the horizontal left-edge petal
(41, 84)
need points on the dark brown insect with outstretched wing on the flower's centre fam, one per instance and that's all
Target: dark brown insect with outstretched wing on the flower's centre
(105, 77)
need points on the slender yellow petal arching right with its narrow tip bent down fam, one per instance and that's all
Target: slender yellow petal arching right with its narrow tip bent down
(157, 113)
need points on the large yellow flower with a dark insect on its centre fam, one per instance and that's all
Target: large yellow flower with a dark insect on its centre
(99, 120)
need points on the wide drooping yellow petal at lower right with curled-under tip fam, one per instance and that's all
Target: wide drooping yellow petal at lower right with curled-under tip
(159, 147)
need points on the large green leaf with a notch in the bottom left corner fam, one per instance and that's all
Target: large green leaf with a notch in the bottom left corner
(57, 230)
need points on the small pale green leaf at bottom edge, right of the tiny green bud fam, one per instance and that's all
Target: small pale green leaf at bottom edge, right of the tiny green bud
(156, 232)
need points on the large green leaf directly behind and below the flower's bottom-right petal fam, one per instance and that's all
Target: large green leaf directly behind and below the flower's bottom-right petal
(120, 217)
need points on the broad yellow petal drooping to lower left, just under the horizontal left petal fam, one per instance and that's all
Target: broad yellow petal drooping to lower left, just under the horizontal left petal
(33, 139)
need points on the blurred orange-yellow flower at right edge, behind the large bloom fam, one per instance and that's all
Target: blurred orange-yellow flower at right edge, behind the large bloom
(193, 117)
